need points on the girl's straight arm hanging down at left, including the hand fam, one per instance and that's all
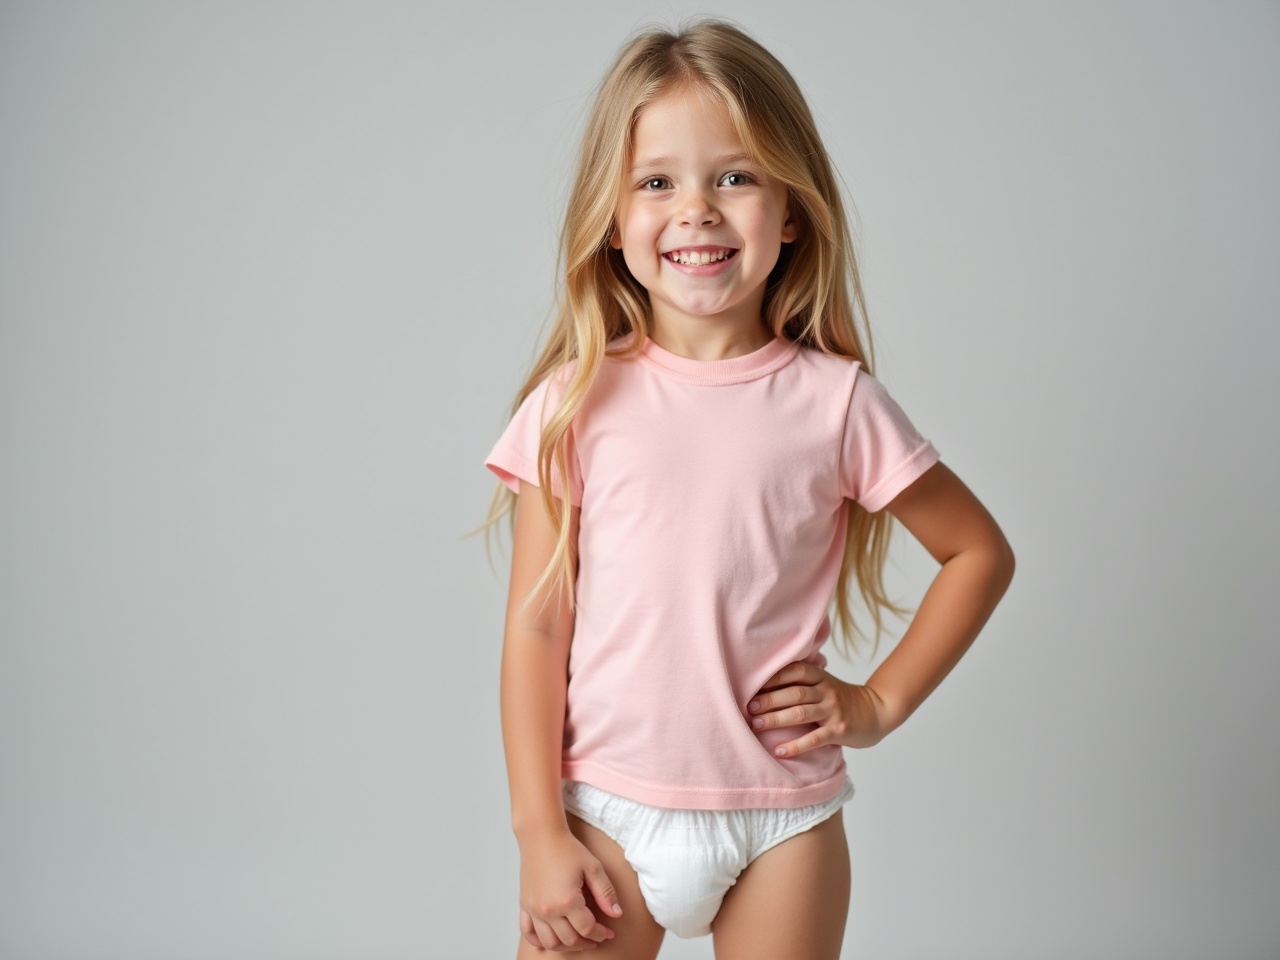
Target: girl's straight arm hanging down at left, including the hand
(555, 866)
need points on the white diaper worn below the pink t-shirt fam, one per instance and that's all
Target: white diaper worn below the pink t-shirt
(687, 861)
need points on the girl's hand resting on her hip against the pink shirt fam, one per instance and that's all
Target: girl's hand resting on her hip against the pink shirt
(801, 693)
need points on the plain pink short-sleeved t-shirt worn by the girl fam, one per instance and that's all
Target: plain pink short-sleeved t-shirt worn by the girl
(714, 509)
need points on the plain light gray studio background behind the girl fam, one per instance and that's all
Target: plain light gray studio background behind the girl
(269, 277)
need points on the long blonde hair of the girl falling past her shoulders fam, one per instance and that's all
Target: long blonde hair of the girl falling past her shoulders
(813, 296)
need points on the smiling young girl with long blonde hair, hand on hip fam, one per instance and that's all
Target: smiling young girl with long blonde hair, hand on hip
(702, 461)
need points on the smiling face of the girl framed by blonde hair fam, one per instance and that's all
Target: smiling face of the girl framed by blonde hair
(700, 223)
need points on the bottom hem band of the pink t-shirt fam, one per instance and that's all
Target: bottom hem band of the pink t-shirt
(705, 798)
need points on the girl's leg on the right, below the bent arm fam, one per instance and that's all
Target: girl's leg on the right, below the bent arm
(792, 902)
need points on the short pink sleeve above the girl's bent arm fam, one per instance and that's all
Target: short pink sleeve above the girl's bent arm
(883, 452)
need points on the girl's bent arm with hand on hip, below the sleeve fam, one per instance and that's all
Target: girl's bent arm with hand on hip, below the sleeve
(977, 568)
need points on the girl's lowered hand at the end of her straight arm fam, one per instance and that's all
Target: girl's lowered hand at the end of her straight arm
(554, 909)
